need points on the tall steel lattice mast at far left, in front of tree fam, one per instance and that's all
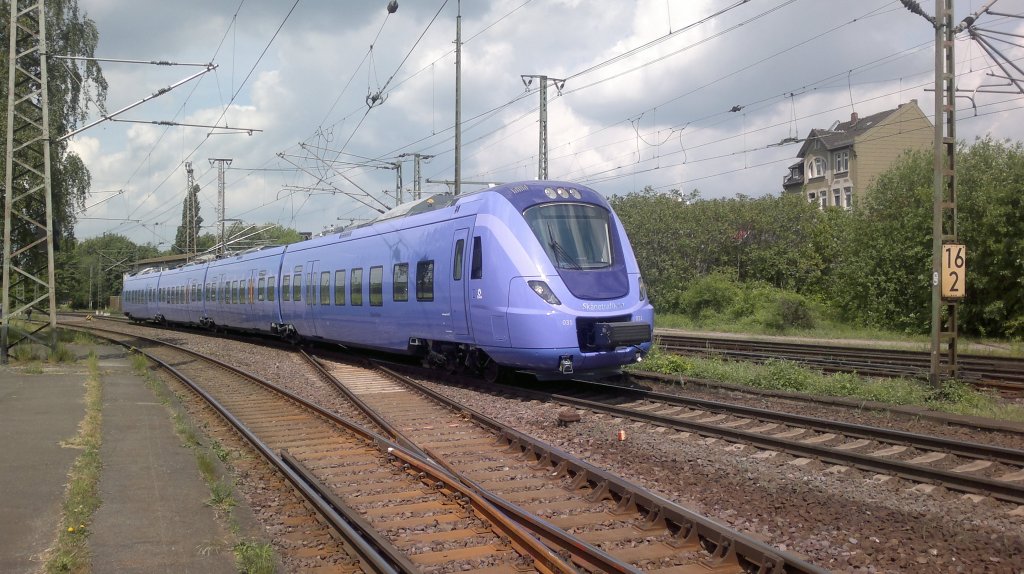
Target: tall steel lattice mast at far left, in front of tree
(28, 225)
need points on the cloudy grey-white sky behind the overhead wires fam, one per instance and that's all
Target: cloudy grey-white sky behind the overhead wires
(647, 102)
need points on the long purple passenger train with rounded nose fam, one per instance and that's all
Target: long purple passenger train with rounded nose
(533, 277)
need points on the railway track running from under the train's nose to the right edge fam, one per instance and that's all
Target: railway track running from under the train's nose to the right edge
(969, 468)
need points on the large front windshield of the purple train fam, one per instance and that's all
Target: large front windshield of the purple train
(575, 236)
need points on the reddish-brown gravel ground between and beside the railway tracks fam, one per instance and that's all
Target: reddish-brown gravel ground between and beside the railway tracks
(844, 520)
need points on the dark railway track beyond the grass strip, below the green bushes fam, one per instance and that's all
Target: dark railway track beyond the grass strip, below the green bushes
(1002, 374)
